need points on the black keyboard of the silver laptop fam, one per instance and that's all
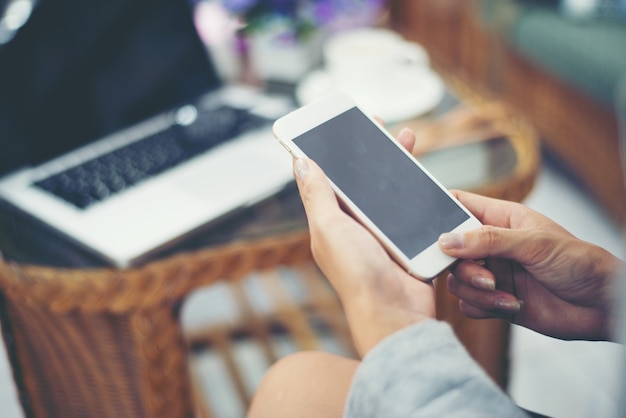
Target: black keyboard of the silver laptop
(108, 174)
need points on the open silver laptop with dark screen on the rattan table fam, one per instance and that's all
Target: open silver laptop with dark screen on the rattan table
(116, 132)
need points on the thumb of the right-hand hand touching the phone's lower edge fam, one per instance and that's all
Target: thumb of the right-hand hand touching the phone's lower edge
(488, 241)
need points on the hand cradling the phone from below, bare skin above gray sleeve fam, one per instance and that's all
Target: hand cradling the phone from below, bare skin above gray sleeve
(378, 296)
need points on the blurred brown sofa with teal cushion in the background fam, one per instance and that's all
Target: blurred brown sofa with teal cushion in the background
(558, 69)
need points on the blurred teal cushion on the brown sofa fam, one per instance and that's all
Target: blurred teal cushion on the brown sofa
(589, 54)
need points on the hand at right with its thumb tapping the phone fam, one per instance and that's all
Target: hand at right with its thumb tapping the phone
(535, 273)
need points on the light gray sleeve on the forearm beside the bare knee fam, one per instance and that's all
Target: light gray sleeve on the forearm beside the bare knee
(424, 371)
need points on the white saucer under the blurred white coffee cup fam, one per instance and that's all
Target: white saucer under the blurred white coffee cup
(408, 94)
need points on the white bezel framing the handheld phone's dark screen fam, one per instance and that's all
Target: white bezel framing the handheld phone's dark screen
(425, 265)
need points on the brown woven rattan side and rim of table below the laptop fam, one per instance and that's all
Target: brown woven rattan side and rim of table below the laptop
(106, 342)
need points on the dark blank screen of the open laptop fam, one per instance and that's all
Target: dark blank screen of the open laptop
(79, 70)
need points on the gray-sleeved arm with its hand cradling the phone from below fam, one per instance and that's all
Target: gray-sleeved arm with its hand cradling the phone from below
(411, 363)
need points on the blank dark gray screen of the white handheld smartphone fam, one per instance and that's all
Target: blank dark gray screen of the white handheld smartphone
(382, 181)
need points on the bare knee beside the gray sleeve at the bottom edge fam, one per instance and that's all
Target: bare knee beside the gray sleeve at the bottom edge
(306, 383)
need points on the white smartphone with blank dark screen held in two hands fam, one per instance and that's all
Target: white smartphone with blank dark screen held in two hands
(380, 183)
